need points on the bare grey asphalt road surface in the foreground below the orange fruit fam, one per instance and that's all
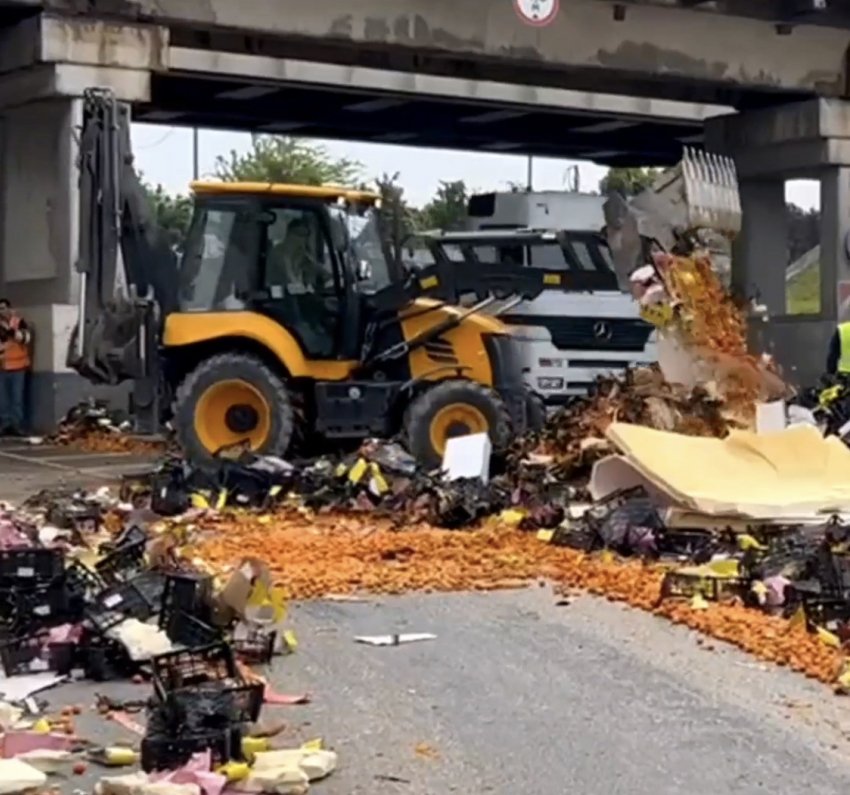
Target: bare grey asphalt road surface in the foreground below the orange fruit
(519, 695)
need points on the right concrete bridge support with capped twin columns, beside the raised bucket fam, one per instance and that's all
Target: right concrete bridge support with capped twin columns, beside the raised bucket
(806, 140)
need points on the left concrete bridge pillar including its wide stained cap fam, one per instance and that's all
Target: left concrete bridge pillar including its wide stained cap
(45, 65)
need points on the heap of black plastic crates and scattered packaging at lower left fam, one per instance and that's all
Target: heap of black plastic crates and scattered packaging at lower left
(98, 595)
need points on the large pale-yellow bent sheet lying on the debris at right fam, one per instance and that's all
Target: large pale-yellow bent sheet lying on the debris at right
(792, 473)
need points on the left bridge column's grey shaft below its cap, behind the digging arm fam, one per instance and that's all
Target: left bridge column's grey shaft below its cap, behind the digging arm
(39, 230)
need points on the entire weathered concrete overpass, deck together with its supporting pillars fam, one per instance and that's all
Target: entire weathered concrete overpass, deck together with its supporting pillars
(427, 72)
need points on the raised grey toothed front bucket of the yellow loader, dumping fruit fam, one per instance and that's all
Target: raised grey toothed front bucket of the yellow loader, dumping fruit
(698, 195)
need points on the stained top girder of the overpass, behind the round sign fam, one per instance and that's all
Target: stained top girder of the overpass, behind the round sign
(676, 50)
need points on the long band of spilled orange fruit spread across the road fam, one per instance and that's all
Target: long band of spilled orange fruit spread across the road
(312, 557)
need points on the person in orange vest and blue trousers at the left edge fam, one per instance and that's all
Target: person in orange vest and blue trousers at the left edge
(15, 361)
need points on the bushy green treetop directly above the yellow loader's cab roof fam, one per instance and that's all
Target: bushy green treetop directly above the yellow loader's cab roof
(279, 158)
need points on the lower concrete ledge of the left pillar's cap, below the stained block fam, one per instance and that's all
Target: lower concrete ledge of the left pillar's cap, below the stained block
(69, 80)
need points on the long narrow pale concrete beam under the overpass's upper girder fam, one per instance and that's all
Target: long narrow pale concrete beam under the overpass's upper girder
(261, 69)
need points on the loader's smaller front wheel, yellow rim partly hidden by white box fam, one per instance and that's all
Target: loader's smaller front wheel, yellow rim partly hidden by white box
(454, 408)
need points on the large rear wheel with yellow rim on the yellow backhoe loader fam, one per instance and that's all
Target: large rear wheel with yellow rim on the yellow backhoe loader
(230, 399)
